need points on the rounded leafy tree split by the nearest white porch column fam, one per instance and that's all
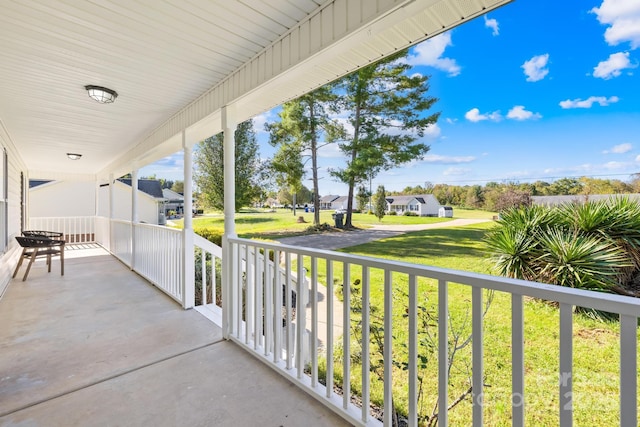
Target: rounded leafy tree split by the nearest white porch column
(209, 173)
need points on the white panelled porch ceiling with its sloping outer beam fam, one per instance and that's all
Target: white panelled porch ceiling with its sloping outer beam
(175, 63)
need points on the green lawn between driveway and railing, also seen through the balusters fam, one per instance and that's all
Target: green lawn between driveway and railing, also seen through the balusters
(596, 346)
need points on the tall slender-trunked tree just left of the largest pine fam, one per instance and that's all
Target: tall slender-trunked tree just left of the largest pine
(303, 123)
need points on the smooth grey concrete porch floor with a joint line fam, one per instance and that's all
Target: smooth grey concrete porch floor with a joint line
(100, 346)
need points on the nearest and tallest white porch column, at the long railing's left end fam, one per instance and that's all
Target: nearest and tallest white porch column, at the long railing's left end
(229, 129)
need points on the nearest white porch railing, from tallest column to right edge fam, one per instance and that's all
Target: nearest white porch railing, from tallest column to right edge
(256, 292)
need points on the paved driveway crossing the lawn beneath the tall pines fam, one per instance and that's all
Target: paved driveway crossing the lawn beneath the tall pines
(345, 239)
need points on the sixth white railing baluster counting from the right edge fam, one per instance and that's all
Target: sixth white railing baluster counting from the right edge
(413, 355)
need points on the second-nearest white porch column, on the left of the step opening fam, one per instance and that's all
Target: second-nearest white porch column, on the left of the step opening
(188, 278)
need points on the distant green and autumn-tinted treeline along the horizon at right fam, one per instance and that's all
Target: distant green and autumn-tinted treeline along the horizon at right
(495, 196)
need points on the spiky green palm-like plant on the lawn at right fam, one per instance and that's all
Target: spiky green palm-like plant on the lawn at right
(595, 245)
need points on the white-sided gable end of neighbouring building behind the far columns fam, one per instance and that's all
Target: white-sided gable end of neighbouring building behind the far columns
(150, 201)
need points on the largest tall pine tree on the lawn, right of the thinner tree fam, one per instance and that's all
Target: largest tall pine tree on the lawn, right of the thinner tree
(386, 110)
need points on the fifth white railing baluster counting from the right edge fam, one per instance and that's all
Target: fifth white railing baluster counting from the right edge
(443, 353)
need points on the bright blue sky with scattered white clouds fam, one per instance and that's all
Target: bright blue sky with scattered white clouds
(536, 90)
